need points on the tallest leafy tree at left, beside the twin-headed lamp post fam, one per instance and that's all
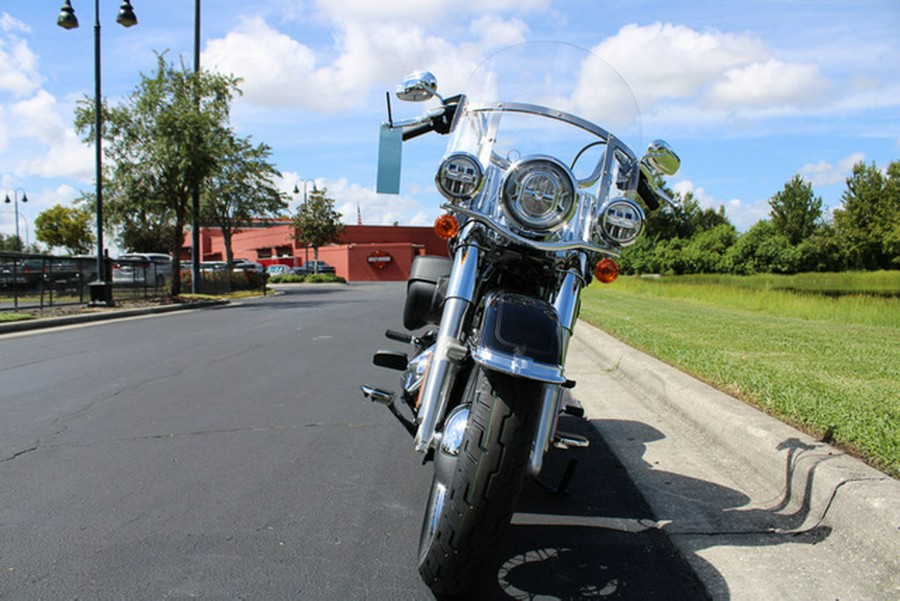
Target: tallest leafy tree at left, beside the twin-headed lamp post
(163, 142)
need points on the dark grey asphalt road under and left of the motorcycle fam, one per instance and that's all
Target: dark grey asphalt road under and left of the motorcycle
(228, 453)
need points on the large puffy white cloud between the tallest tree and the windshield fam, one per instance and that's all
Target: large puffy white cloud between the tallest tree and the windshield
(279, 71)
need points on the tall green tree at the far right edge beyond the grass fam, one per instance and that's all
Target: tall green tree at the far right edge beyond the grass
(869, 217)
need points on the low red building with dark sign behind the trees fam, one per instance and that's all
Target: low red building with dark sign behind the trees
(362, 253)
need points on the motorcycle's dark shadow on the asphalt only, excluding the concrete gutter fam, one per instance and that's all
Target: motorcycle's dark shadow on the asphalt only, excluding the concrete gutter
(599, 540)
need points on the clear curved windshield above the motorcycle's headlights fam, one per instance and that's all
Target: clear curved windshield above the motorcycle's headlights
(546, 98)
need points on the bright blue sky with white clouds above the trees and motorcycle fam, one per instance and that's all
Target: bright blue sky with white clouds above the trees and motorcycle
(748, 92)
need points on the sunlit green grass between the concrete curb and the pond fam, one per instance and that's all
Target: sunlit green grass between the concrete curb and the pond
(829, 365)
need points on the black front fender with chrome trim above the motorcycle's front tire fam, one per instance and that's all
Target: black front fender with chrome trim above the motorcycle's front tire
(520, 336)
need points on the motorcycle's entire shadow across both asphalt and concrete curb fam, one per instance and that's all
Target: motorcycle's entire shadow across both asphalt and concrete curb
(601, 539)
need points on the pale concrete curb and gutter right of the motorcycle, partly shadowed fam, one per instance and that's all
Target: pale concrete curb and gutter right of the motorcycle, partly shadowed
(759, 509)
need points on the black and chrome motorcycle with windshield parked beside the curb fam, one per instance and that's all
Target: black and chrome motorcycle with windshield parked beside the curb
(540, 199)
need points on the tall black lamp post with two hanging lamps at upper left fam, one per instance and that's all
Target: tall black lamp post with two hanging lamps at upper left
(101, 290)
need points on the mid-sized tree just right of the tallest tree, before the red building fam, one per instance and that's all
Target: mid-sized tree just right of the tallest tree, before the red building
(241, 189)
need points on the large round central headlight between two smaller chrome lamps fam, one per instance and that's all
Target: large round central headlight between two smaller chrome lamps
(538, 195)
